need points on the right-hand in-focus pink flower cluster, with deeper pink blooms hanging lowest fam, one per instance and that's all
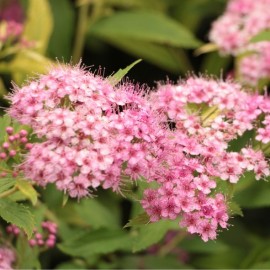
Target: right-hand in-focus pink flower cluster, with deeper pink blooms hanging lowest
(207, 115)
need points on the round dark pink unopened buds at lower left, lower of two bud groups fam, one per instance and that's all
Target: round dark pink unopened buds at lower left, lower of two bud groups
(46, 238)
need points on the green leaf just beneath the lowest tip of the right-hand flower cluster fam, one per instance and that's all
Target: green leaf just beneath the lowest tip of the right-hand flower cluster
(152, 233)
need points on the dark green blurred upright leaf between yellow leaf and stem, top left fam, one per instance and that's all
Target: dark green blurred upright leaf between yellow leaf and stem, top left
(61, 38)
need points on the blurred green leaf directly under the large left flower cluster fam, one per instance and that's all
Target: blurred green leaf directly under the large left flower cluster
(96, 214)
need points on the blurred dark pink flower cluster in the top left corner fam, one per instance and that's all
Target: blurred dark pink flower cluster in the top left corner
(11, 18)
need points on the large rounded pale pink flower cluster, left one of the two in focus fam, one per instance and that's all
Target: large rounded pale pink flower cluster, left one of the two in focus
(93, 134)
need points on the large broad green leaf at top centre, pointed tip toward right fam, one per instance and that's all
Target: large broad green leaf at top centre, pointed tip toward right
(144, 26)
